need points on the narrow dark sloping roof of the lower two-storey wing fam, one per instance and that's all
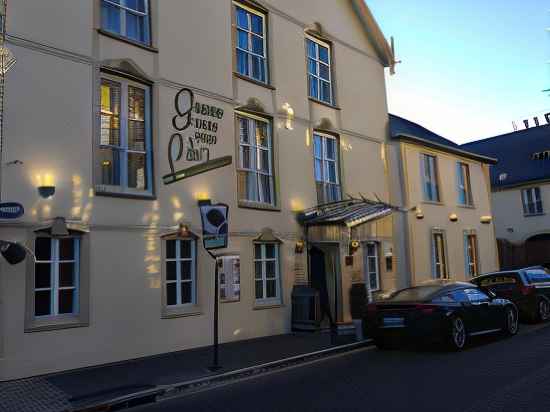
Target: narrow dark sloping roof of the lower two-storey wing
(401, 128)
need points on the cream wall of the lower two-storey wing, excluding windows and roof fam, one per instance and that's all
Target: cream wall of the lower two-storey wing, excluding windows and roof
(436, 215)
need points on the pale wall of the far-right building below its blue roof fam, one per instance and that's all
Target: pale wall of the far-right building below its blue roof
(508, 210)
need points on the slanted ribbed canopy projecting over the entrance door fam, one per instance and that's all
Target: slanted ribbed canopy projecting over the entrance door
(349, 212)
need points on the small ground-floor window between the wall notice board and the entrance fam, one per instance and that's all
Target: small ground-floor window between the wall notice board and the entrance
(267, 273)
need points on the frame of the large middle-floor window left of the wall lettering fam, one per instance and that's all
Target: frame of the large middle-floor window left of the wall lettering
(124, 121)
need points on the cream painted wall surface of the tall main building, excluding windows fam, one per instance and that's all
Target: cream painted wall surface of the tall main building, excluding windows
(50, 127)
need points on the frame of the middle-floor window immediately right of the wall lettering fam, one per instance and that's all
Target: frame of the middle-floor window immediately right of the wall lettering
(255, 152)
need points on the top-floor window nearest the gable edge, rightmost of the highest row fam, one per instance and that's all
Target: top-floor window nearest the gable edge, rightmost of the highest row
(319, 70)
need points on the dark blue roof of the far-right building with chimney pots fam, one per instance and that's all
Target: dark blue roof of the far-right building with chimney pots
(514, 152)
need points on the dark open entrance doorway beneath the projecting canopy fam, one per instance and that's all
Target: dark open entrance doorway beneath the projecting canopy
(324, 275)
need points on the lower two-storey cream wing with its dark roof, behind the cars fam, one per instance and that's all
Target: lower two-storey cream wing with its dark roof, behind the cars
(449, 232)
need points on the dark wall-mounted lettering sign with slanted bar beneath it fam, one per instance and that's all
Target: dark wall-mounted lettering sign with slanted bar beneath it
(193, 147)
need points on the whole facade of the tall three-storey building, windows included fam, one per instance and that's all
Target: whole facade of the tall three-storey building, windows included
(134, 111)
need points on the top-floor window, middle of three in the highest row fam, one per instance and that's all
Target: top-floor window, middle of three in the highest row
(251, 43)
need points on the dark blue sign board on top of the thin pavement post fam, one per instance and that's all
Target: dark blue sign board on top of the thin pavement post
(214, 225)
